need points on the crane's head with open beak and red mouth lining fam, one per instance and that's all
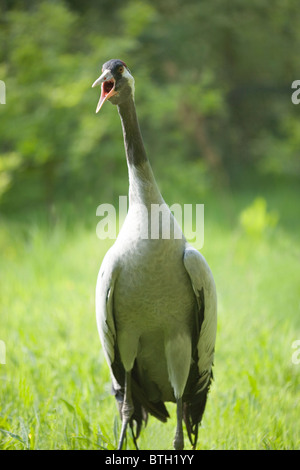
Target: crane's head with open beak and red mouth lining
(117, 83)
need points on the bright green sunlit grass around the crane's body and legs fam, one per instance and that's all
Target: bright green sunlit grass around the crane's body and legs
(55, 387)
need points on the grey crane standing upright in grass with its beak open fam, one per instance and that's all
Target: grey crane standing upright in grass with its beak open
(156, 304)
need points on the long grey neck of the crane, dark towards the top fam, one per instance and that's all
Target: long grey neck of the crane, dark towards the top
(142, 184)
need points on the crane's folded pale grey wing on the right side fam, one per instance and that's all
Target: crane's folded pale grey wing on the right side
(205, 290)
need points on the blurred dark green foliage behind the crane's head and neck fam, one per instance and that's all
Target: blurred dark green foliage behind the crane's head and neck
(213, 92)
